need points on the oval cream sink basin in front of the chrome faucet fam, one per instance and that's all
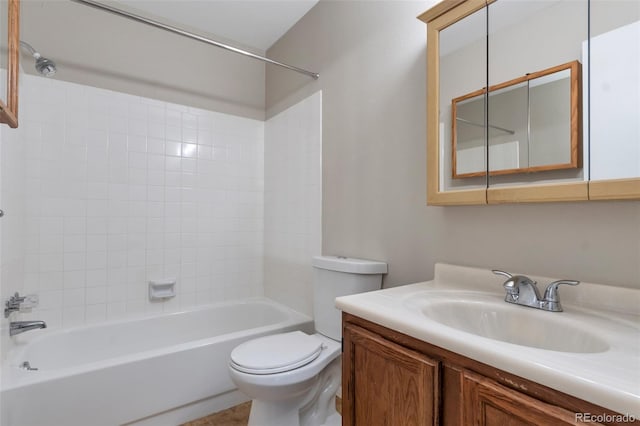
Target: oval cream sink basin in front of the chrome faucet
(513, 324)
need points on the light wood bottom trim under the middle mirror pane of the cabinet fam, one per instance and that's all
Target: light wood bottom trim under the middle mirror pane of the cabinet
(552, 192)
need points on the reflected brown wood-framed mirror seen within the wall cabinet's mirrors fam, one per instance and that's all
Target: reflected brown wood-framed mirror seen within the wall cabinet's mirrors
(533, 125)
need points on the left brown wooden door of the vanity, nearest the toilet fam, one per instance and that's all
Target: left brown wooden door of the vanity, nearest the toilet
(385, 383)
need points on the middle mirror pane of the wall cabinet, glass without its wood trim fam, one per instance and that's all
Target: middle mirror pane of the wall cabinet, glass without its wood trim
(526, 36)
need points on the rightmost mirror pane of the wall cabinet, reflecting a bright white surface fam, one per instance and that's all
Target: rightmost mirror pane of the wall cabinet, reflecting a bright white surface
(614, 89)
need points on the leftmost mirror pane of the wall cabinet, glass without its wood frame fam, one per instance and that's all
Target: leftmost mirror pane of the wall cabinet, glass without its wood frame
(462, 63)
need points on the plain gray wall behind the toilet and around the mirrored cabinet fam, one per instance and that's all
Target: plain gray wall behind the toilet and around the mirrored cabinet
(371, 59)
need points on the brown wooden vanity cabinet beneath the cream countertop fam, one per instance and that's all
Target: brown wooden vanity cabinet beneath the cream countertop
(391, 379)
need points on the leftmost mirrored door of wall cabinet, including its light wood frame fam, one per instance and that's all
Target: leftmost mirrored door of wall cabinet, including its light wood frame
(456, 65)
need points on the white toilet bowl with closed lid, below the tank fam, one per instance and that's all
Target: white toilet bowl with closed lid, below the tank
(292, 378)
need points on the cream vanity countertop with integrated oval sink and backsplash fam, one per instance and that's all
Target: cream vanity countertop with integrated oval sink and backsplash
(591, 350)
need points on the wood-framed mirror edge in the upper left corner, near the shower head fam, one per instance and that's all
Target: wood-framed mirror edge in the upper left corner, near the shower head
(9, 64)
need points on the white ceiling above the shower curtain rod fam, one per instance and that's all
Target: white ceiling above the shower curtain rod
(252, 23)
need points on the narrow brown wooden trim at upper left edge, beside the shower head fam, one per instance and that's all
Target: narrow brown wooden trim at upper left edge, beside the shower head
(9, 111)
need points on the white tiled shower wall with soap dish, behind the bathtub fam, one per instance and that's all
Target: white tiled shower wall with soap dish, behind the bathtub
(104, 191)
